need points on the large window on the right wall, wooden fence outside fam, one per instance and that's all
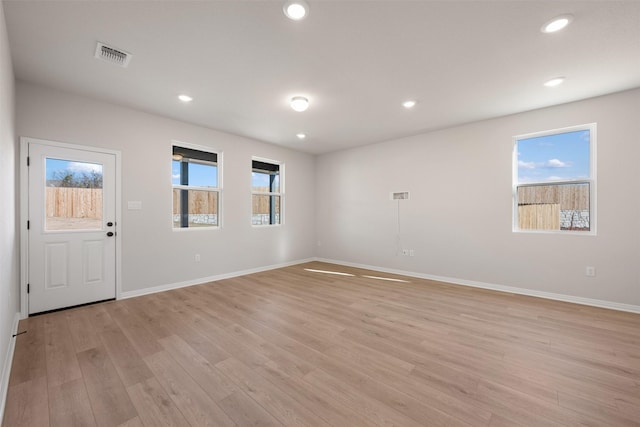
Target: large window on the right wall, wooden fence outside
(554, 181)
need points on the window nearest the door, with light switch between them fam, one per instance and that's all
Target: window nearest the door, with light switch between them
(196, 188)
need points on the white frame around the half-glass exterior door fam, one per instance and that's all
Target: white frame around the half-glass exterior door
(24, 213)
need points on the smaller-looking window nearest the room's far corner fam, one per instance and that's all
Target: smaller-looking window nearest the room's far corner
(266, 192)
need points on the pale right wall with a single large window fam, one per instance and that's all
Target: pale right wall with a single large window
(459, 217)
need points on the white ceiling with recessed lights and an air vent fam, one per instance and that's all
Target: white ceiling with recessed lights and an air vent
(355, 60)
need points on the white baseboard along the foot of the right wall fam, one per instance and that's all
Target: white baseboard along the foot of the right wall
(501, 288)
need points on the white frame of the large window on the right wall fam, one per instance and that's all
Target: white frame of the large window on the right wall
(592, 128)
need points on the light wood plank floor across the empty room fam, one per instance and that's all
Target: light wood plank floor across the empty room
(299, 348)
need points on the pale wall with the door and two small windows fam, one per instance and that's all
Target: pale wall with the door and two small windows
(155, 255)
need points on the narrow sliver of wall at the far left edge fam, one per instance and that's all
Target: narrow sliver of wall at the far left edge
(9, 267)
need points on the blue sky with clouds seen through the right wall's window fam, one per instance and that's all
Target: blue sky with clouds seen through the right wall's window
(562, 156)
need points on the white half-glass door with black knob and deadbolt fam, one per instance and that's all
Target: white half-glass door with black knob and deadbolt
(72, 230)
